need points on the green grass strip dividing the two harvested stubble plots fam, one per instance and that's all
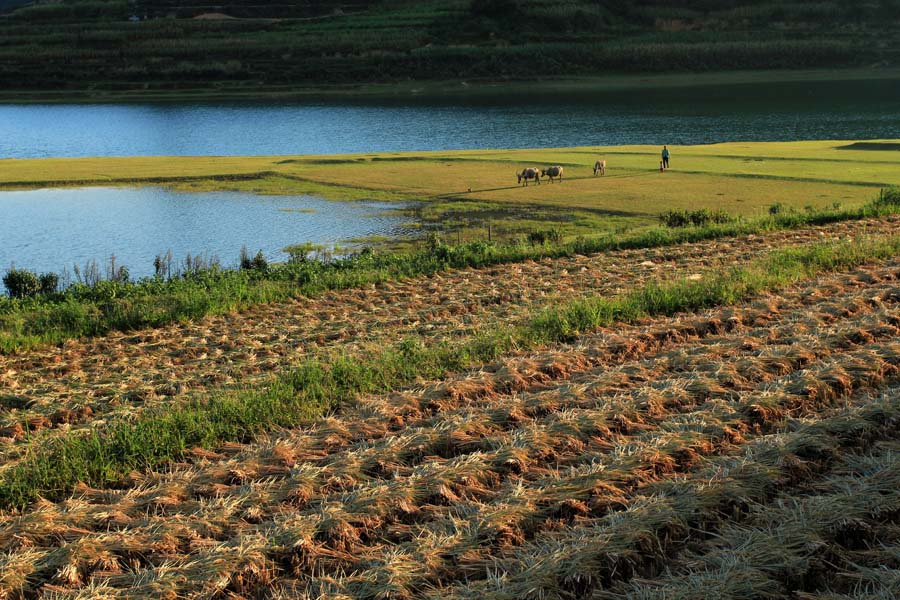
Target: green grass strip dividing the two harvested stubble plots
(105, 456)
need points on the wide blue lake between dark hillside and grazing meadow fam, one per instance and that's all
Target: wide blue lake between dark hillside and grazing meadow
(775, 111)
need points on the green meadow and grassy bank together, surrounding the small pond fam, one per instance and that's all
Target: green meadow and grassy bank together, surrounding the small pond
(811, 181)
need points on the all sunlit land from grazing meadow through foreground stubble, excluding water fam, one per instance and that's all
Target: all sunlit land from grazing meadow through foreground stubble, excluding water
(653, 413)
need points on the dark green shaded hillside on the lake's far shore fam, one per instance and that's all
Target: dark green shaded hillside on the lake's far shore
(91, 47)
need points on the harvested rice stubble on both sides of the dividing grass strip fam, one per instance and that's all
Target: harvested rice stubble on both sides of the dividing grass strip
(742, 451)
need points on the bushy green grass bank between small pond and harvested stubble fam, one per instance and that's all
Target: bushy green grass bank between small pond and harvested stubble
(109, 306)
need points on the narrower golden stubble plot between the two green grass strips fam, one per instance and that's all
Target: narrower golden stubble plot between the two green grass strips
(122, 373)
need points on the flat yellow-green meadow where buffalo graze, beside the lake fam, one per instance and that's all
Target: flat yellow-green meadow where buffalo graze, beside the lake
(461, 192)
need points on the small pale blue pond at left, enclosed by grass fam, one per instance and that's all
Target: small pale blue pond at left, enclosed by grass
(49, 230)
